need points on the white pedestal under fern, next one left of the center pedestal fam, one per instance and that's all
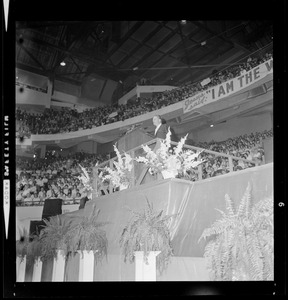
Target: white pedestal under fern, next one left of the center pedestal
(86, 266)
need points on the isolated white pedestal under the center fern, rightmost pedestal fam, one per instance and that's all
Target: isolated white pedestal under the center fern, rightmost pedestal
(143, 271)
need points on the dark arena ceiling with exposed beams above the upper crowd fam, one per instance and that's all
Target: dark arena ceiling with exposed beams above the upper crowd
(164, 52)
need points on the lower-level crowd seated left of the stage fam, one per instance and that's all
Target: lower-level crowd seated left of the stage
(40, 179)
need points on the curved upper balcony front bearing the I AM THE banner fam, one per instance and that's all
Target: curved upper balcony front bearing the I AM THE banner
(251, 79)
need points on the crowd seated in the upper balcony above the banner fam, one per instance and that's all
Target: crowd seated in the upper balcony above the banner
(54, 121)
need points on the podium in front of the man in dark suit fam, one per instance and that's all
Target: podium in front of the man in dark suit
(133, 139)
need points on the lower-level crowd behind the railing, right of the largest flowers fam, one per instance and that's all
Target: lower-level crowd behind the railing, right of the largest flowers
(248, 147)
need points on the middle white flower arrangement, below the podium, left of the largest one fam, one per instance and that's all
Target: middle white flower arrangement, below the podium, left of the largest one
(121, 175)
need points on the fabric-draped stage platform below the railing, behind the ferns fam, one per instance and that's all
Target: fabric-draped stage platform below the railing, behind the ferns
(194, 202)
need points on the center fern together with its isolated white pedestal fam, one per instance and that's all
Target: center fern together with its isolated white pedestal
(148, 232)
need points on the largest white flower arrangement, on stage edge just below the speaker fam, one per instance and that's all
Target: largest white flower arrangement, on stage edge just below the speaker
(177, 161)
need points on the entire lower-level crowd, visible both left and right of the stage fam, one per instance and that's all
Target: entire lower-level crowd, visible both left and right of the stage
(40, 179)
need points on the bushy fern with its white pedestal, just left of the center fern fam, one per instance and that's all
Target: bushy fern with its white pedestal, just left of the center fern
(90, 240)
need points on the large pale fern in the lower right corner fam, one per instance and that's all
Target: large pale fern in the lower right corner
(240, 244)
